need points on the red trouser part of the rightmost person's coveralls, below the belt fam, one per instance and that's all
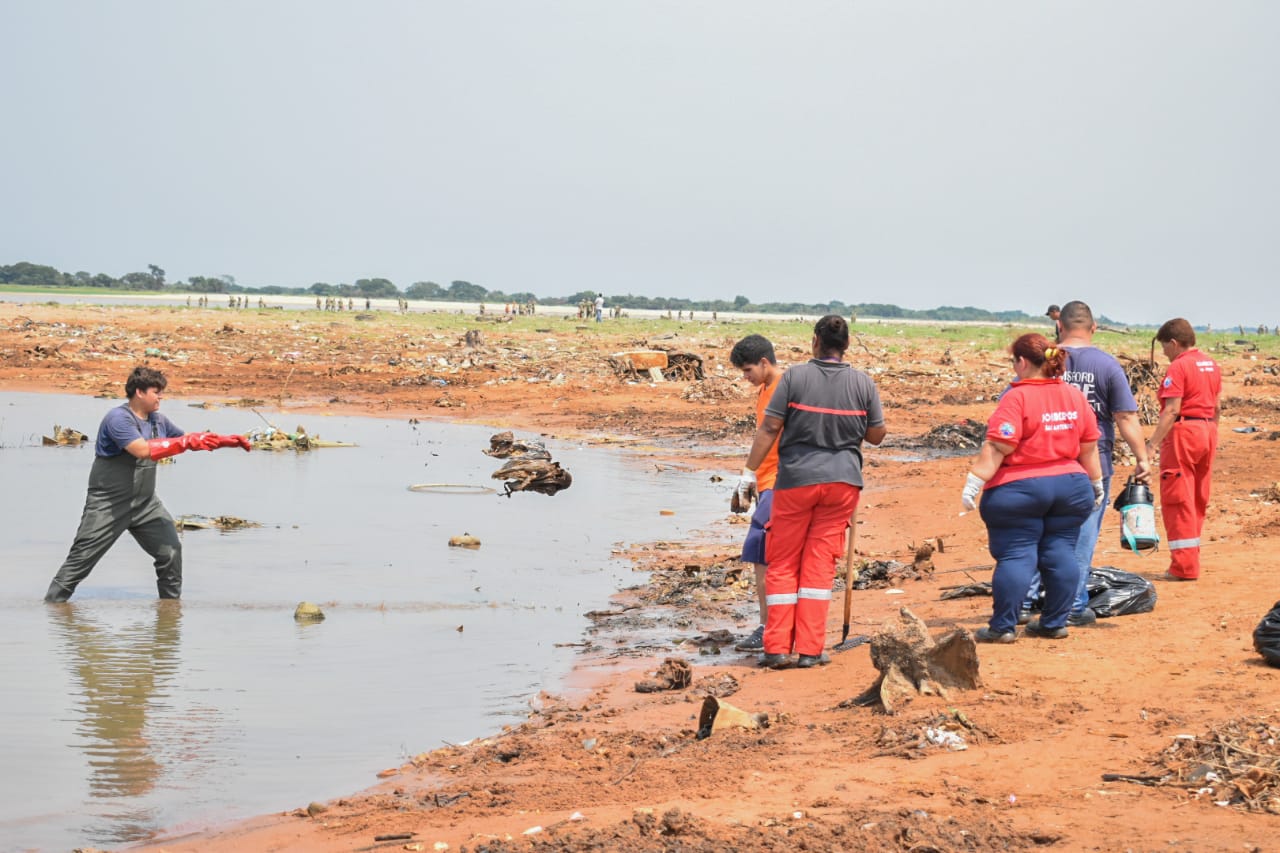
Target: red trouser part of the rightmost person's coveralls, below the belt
(1186, 459)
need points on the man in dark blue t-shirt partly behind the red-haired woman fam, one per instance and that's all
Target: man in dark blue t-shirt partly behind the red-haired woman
(1107, 387)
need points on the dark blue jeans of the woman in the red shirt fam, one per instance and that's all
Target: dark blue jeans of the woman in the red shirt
(1035, 523)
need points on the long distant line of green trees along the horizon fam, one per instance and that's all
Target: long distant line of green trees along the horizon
(28, 275)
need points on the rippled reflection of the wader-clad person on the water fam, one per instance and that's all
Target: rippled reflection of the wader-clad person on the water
(121, 674)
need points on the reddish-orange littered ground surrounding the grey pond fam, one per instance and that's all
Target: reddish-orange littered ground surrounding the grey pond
(1052, 719)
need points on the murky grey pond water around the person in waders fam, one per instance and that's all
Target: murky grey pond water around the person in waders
(122, 717)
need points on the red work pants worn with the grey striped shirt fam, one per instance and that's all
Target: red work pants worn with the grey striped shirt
(807, 536)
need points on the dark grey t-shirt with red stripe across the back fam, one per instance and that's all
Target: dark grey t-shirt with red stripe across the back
(826, 408)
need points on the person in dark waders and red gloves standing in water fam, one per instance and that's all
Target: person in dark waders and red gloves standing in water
(122, 487)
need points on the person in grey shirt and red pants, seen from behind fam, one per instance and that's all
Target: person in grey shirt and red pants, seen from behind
(825, 410)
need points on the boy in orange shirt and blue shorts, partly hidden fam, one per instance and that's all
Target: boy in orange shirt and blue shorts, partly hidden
(756, 358)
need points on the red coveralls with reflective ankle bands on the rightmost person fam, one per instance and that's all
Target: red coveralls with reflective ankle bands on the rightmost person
(1187, 457)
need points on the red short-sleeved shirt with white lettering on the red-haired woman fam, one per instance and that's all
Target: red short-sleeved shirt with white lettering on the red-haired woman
(1045, 421)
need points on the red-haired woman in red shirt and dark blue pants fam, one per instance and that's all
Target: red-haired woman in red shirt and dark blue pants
(1035, 472)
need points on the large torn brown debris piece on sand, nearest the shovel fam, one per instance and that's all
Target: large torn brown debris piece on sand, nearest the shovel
(912, 663)
